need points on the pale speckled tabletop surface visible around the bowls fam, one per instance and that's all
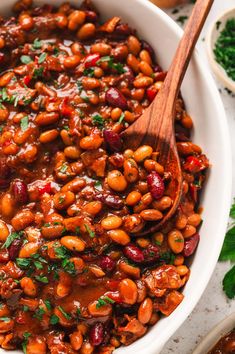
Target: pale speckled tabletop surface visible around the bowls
(213, 306)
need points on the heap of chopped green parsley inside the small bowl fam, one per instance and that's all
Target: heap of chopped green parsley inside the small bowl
(224, 50)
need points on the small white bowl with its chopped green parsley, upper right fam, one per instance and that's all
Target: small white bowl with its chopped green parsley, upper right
(221, 48)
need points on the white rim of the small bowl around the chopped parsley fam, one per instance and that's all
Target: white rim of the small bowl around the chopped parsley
(211, 39)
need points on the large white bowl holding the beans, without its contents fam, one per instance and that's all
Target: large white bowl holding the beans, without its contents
(211, 133)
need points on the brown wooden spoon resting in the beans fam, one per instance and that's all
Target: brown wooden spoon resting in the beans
(156, 126)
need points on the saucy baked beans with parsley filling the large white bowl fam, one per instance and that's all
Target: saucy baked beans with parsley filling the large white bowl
(75, 276)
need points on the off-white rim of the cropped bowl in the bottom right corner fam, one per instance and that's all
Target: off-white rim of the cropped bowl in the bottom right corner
(219, 331)
